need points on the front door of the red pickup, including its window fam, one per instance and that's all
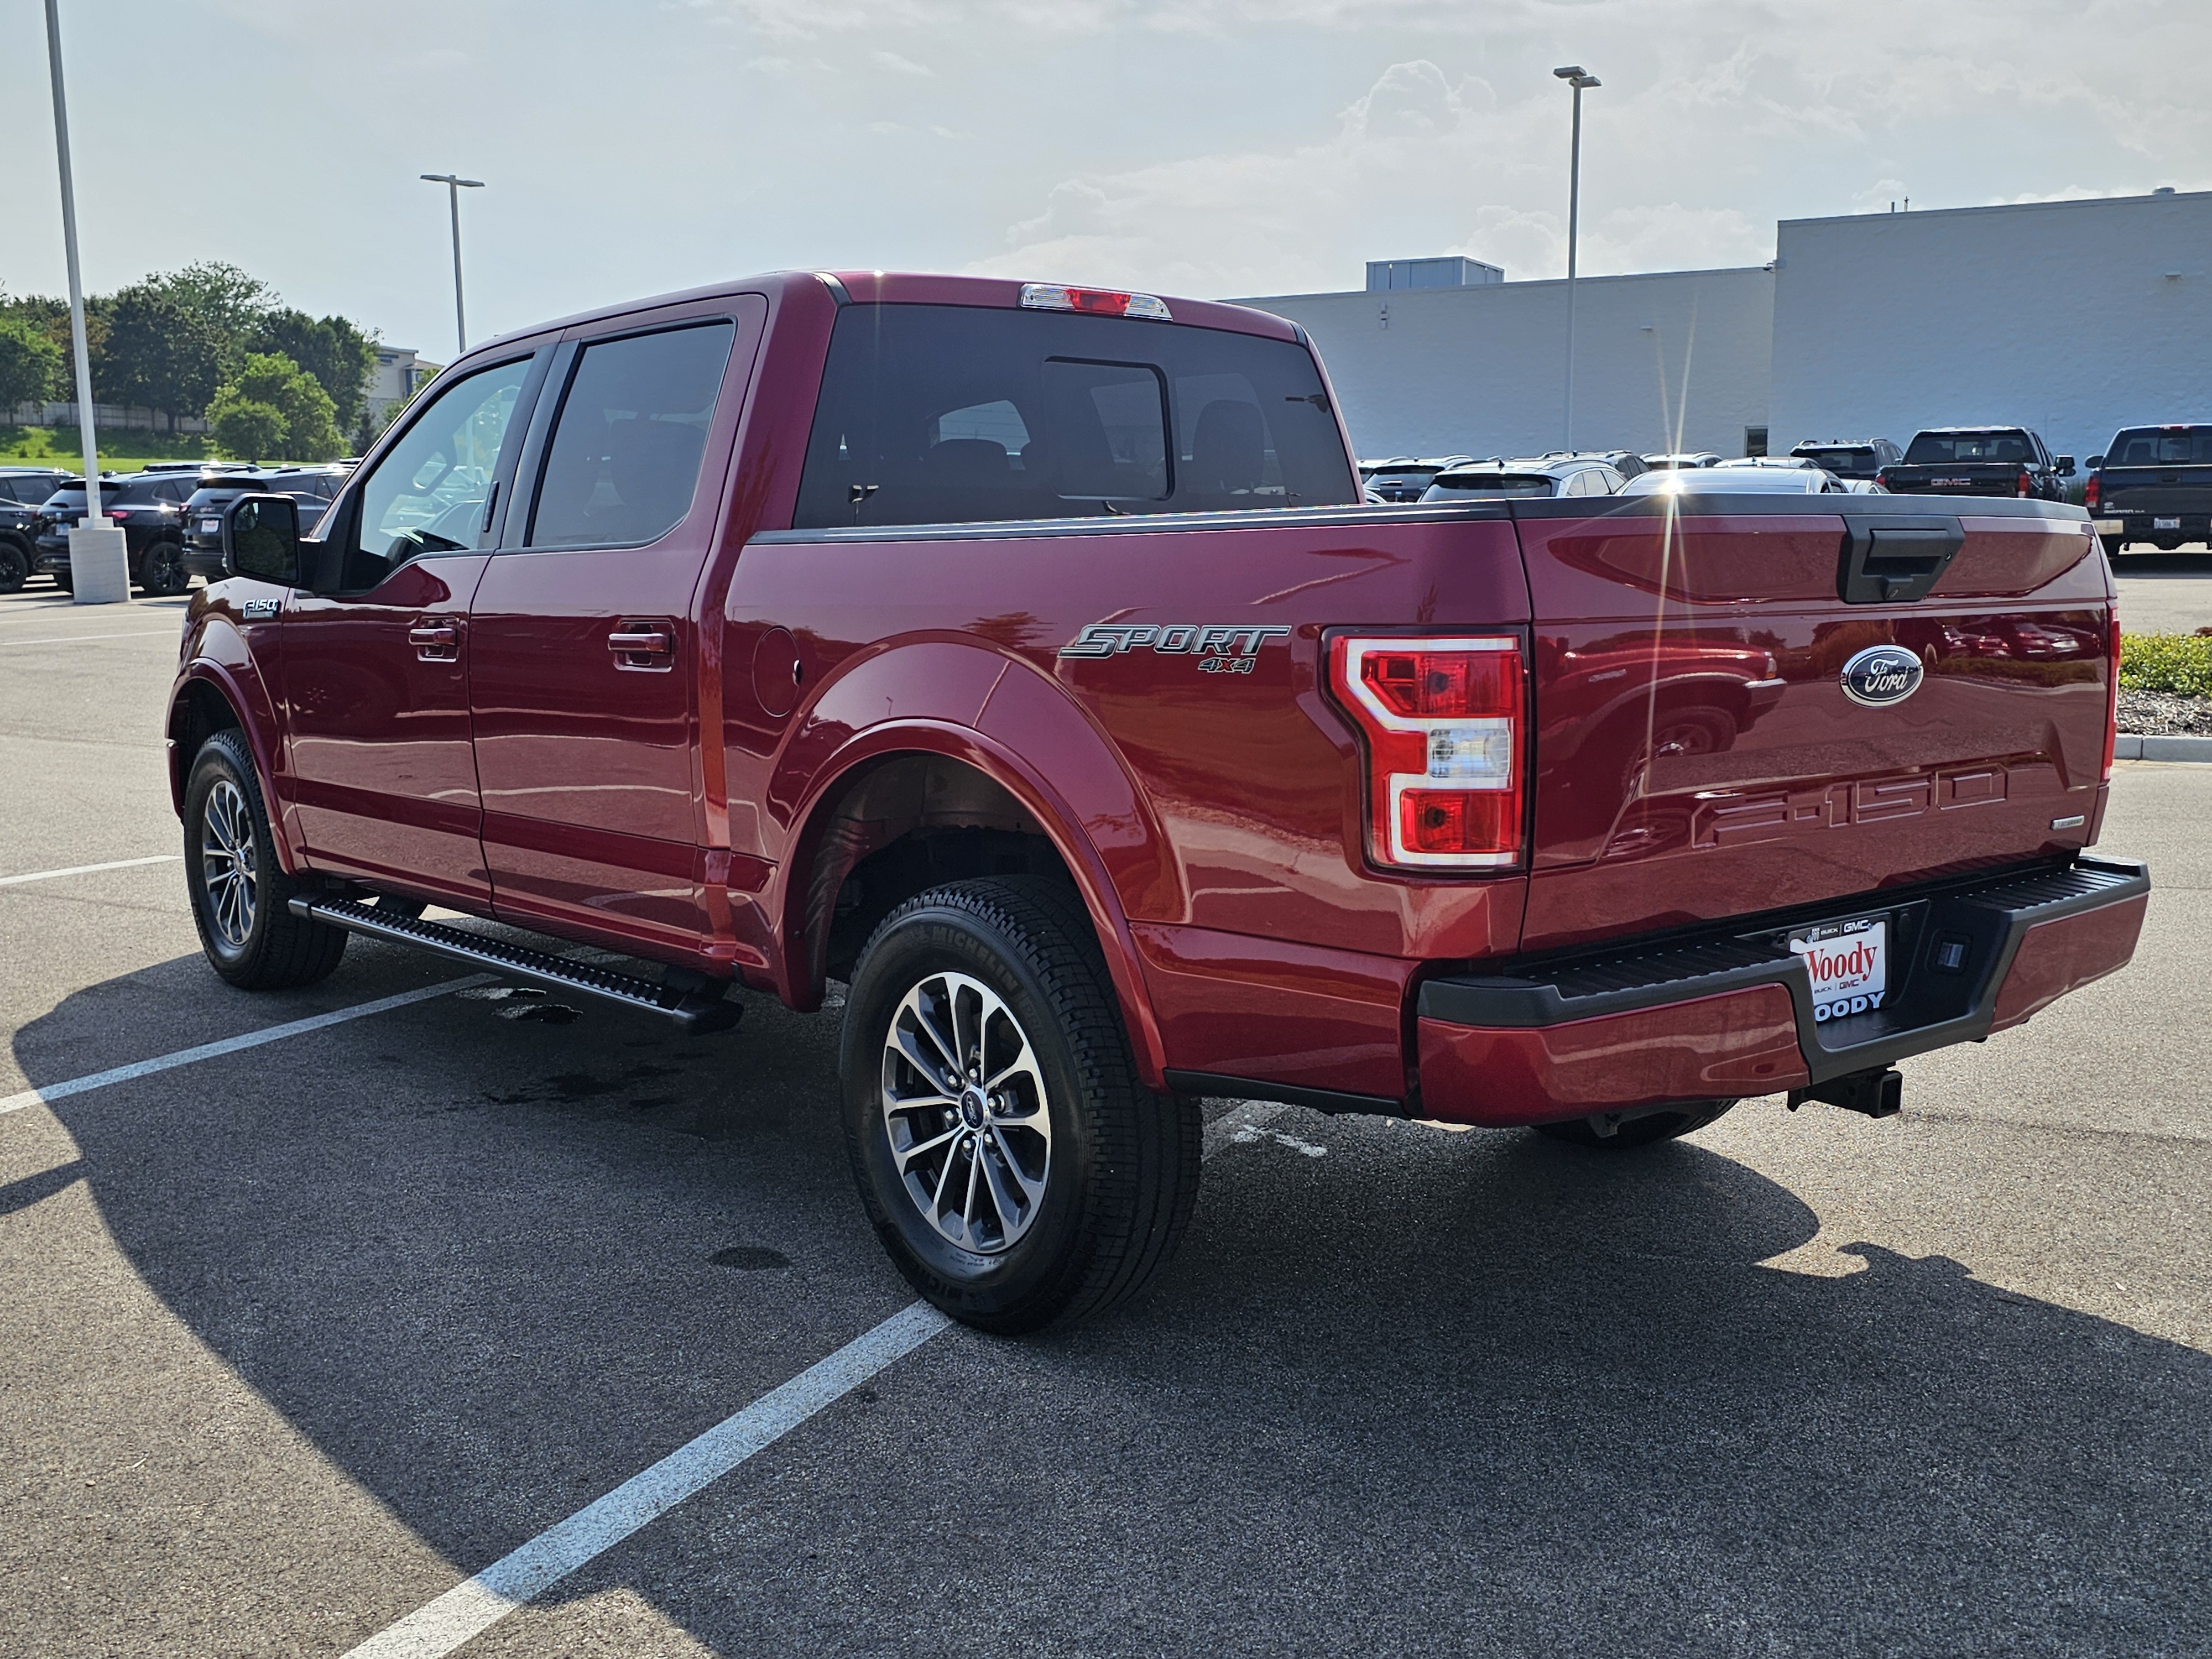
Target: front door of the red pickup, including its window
(377, 649)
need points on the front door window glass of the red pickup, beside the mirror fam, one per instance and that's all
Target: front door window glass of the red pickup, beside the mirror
(430, 490)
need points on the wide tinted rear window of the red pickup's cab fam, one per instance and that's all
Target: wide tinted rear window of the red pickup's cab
(954, 415)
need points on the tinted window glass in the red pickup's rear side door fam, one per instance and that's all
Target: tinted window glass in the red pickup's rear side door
(629, 439)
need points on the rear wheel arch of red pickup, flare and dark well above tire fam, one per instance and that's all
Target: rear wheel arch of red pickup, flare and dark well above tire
(901, 822)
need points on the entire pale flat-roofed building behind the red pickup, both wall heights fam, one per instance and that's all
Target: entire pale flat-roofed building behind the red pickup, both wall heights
(2072, 317)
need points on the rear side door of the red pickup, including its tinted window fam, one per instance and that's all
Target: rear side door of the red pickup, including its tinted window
(585, 654)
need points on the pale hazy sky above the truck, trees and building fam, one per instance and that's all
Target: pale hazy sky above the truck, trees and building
(1182, 147)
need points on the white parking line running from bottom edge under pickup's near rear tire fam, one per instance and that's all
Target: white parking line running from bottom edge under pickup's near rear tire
(481, 1603)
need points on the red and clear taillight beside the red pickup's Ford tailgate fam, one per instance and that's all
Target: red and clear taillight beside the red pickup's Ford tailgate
(1443, 724)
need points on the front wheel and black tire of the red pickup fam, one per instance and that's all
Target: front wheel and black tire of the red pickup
(260, 946)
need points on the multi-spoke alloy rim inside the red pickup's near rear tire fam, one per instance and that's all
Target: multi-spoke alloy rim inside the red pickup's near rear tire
(966, 1114)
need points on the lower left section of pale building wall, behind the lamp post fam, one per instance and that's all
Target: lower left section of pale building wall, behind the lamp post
(1483, 371)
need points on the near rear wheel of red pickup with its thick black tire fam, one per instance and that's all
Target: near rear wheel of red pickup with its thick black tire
(1120, 1165)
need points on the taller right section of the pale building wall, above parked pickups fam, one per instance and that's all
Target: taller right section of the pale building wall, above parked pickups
(2072, 317)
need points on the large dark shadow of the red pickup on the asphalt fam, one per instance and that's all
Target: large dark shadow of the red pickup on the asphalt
(1430, 1392)
